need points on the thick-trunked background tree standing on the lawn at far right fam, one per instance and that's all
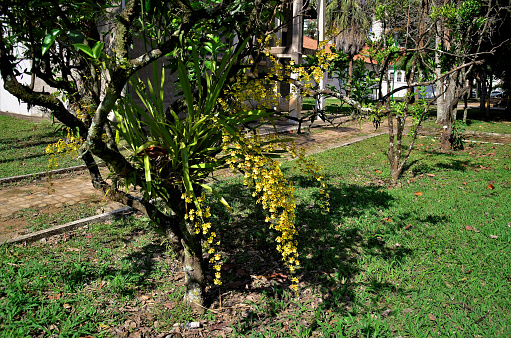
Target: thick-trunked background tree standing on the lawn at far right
(464, 36)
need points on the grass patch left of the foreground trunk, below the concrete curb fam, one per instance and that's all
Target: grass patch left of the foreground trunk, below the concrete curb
(87, 283)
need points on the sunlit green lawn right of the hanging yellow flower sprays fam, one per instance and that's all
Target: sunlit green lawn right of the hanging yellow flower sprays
(396, 261)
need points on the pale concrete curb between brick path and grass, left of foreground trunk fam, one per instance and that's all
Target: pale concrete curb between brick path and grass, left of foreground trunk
(59, 229)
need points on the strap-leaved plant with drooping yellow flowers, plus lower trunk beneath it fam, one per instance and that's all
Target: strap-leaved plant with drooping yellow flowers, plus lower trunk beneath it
(178, 152)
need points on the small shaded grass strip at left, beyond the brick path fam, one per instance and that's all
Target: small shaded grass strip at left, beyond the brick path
(22, 145)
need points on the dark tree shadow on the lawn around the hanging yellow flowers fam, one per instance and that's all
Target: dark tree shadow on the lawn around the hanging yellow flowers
(329, 249)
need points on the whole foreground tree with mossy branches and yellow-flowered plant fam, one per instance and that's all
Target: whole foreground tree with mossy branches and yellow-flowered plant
(172, 149)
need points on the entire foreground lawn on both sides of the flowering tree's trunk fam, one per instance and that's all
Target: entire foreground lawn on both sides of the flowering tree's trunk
(427, 257)
